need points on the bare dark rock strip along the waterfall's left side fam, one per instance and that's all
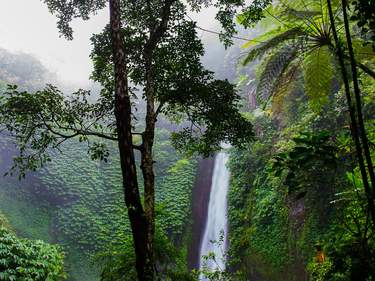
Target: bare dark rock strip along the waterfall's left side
(201, 195)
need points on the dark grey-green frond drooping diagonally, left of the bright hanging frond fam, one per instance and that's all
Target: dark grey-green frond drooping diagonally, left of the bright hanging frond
(275, 67)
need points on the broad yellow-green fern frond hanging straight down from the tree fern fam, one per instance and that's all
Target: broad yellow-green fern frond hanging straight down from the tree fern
(318, 74)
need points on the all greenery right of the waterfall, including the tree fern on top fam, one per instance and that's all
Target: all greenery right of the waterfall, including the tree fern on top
(296, 193)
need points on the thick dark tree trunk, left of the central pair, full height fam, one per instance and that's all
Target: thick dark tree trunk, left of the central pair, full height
(137, 216)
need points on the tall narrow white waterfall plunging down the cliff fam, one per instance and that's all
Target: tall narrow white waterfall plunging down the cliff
(216, 224)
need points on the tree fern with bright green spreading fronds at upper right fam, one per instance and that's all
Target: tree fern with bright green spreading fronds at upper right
(301, 26)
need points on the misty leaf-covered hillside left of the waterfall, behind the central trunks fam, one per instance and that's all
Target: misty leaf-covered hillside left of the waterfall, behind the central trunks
(78, 203)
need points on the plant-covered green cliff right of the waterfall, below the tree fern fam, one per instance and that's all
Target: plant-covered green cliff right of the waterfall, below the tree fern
(284, 201)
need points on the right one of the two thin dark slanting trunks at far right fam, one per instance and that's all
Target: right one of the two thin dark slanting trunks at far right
(357, 94)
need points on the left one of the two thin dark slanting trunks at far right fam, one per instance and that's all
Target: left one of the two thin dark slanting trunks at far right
(353, 121)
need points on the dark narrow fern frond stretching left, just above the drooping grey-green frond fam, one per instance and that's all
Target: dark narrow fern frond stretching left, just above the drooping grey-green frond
(262, 48)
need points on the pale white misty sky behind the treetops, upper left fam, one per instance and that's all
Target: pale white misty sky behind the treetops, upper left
(27, 26)
